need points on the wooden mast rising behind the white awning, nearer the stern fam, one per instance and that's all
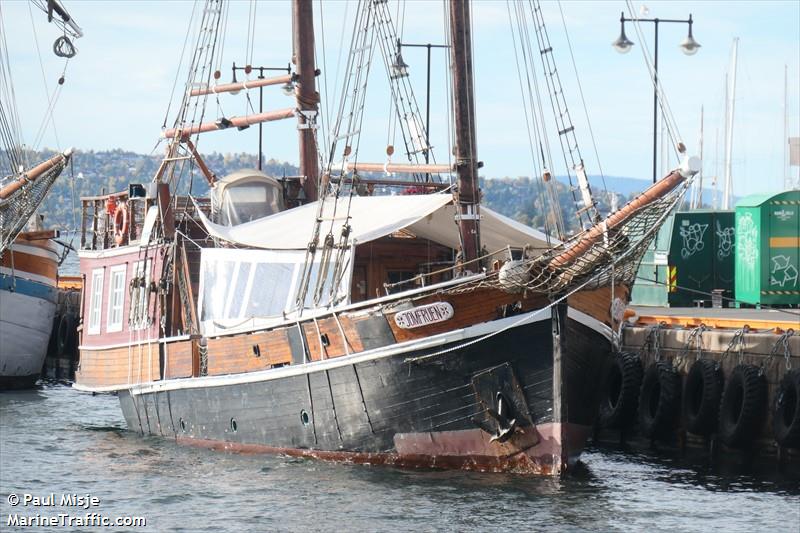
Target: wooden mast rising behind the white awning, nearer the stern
(306, 93)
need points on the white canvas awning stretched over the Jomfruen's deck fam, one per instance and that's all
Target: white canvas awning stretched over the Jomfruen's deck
(430, 216)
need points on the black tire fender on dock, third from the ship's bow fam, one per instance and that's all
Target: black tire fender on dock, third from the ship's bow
(702, 393)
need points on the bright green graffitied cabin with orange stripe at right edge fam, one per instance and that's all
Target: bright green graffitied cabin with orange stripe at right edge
(768, 249)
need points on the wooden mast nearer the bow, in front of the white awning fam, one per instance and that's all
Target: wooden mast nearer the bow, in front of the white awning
(464, 106)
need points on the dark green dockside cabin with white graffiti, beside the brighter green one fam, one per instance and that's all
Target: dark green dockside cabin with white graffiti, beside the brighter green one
(701, 256)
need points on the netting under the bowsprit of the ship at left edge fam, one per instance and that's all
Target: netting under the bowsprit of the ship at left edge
(20, 206)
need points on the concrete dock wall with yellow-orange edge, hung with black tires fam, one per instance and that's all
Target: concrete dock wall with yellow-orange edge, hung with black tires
(767, 339)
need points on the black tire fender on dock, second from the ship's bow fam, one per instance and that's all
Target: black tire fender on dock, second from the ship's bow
(659, 400)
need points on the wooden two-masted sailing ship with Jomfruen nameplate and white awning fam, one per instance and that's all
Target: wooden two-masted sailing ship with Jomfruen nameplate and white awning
(360, 328)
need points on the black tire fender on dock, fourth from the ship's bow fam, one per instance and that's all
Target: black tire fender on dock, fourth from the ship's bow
(743, 406)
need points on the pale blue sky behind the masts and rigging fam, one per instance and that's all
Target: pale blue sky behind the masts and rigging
(118, 87)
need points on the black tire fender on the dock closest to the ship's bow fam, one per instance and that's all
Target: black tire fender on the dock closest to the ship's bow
(620, 393)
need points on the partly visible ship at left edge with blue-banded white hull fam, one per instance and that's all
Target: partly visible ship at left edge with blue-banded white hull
(29, 255)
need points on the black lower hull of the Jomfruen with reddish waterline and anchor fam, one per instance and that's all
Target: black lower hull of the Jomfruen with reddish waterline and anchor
(490, 405)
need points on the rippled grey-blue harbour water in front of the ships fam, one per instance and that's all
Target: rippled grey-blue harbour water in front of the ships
(56, 440)
